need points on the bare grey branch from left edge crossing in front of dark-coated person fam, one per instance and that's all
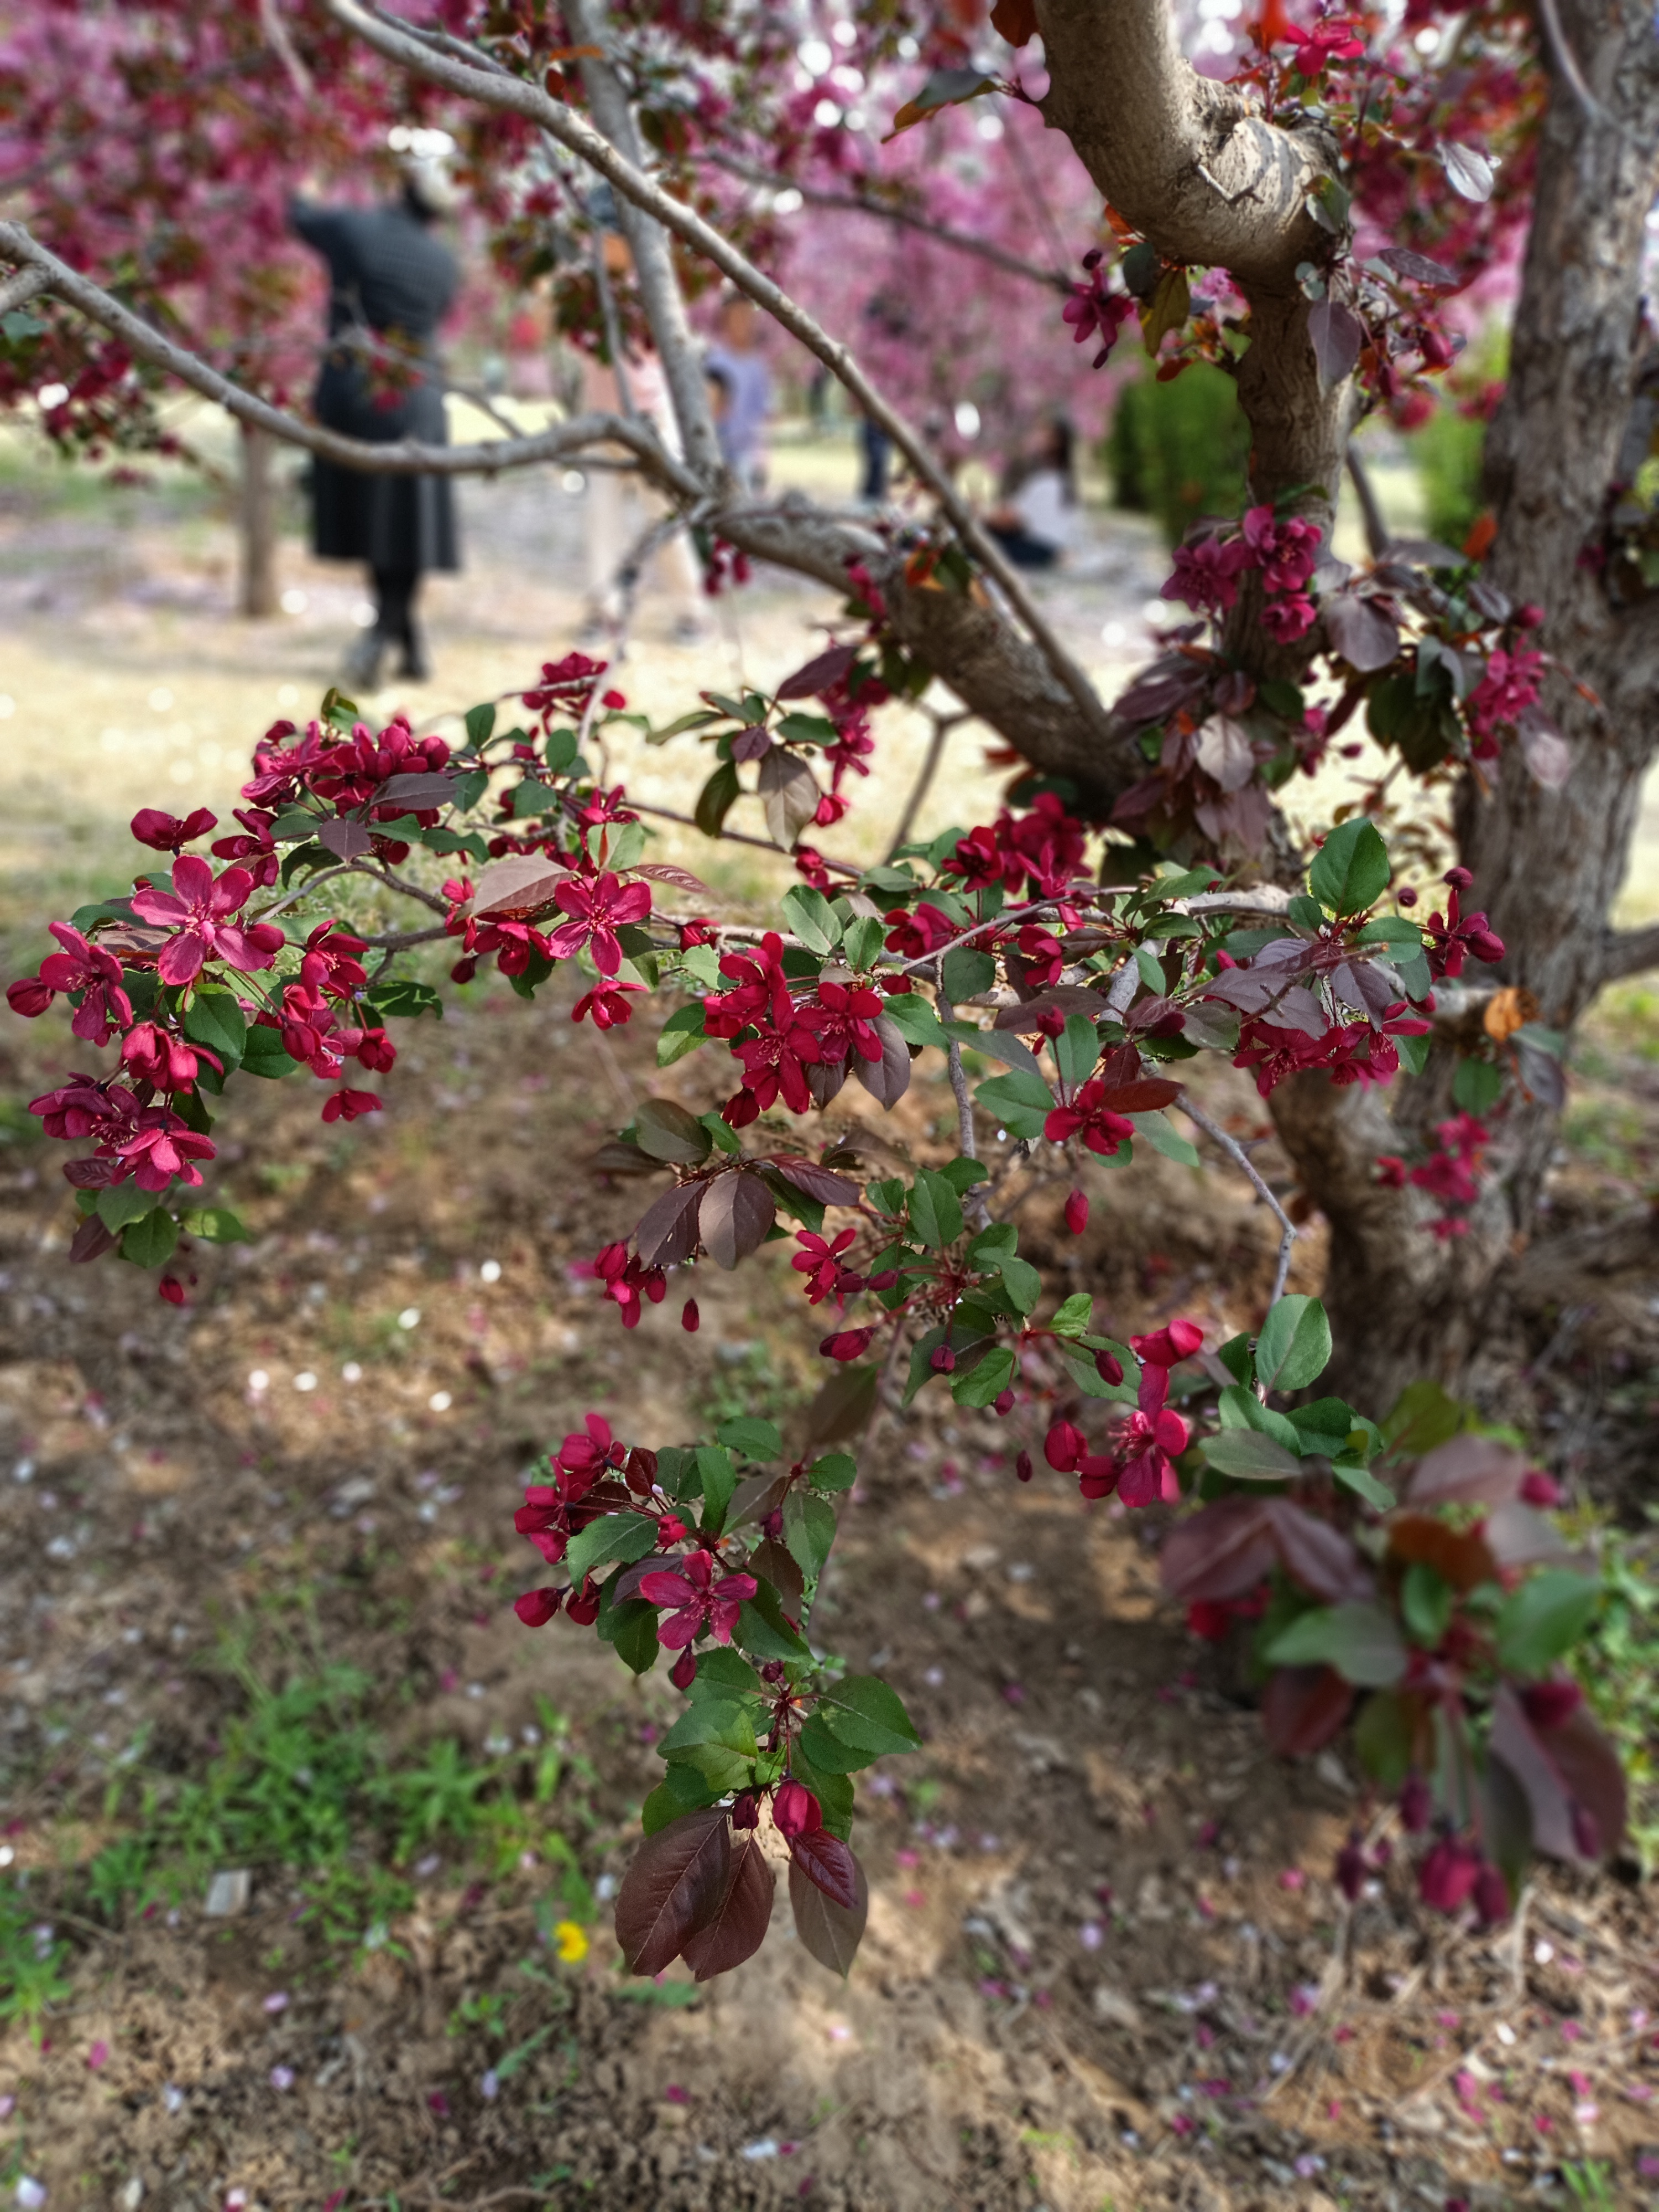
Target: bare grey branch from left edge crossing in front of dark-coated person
(401, 457)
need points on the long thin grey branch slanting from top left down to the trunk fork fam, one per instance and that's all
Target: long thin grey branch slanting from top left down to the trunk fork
(574, 132)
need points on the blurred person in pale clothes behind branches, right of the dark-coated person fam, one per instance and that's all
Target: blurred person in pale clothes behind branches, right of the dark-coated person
(616, 512)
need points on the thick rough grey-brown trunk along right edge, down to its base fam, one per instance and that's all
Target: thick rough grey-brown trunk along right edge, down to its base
(1547, 864)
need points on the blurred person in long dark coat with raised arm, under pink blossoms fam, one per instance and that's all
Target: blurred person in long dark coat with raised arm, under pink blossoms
(390, 278)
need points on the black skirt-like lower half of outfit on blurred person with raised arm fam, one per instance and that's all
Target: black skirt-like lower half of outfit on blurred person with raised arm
(404, 523)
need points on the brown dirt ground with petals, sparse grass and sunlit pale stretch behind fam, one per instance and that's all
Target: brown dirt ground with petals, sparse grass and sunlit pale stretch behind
(1107, 1965)
